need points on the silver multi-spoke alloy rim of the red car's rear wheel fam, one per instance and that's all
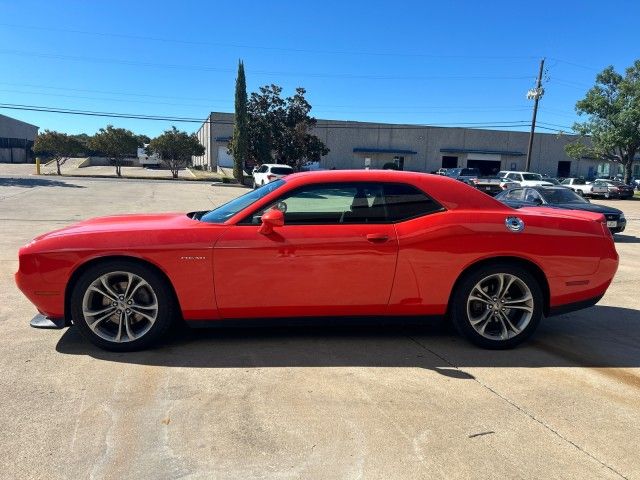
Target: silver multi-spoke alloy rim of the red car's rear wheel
(500, 306)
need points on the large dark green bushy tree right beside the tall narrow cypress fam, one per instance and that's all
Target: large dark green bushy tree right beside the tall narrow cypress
(280, 128)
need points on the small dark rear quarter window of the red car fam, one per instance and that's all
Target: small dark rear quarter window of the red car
(403, 202)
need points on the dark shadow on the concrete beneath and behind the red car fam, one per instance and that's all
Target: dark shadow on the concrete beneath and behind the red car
(598, 337)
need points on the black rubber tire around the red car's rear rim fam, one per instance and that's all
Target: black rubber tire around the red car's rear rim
(463, 306)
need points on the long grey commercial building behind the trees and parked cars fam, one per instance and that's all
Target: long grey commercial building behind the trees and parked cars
(418, 148)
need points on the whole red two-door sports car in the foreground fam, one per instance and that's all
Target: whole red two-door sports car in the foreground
(334, 243)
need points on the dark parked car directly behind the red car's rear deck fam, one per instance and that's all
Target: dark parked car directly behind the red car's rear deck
(561, 197)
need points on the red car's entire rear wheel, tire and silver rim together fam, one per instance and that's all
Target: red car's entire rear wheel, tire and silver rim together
(497, 306)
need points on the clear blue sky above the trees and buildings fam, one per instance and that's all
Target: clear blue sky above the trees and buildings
(445, 62)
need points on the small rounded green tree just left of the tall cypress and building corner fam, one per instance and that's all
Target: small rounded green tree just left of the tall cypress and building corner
(176, 149)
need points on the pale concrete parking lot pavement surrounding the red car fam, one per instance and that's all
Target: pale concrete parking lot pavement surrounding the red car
(309, 403)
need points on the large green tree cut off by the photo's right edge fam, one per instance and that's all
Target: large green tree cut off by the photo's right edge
(613, 123)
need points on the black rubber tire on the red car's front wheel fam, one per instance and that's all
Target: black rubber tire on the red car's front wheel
(156, 289)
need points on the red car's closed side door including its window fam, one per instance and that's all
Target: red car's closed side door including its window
(333, 255)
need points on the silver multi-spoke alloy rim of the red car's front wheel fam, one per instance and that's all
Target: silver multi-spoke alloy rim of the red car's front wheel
(120, 307)
